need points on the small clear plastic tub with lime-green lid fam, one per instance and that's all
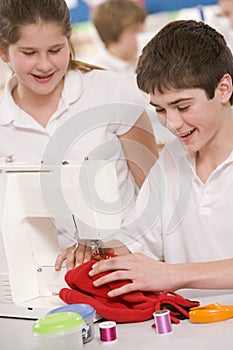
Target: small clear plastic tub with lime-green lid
(60, 331)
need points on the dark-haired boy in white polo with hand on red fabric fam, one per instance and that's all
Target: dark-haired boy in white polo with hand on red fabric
(184, 210)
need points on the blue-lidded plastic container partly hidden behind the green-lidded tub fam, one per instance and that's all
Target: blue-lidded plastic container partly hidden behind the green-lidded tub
(88, 314)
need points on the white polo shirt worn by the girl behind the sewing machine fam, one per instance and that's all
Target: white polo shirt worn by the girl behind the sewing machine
(94, 108)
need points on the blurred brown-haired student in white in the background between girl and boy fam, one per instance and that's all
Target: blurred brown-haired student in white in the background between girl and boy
(118, 23)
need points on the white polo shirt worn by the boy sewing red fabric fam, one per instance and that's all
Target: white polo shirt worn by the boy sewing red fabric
(180, 219)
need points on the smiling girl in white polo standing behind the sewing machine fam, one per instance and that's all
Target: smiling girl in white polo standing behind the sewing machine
(49, 88)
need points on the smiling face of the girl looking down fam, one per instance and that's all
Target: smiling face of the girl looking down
(39, 58)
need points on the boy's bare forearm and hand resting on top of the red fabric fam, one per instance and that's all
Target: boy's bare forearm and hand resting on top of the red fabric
(148, 274)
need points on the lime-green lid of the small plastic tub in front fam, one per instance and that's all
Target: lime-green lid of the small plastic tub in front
(57, 323)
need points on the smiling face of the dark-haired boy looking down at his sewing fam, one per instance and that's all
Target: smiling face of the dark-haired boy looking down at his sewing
(192, 116)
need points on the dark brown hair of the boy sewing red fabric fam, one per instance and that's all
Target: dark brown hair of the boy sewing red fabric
(184, 54)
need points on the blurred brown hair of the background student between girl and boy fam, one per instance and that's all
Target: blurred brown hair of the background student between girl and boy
(112, 17)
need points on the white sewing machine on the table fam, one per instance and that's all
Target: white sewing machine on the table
(32, 198)
